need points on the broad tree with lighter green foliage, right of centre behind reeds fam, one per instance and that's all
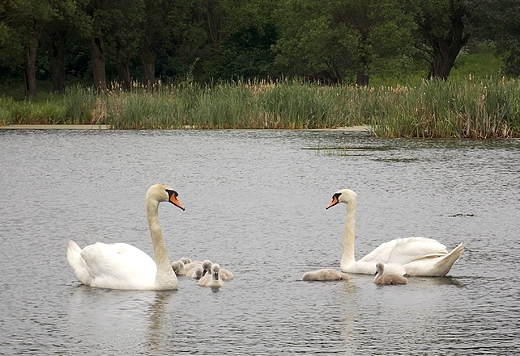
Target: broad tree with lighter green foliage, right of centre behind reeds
(339, 38)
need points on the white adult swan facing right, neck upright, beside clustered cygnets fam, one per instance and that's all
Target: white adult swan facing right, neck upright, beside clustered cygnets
(123, 266)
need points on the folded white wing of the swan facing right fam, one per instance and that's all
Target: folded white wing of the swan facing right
(118, 264)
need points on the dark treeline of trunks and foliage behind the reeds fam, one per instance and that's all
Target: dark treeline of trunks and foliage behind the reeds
(95, 42)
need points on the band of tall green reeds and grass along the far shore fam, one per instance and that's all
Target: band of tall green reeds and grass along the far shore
(475, 109)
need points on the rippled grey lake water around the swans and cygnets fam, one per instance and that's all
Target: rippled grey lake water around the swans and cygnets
(255, 203)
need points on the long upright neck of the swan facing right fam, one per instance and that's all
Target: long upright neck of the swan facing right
(159, 247)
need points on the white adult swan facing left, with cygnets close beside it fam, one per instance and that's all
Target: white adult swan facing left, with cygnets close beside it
(413, 256)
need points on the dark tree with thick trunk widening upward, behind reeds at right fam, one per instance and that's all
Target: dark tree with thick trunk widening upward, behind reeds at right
(441, 33)
